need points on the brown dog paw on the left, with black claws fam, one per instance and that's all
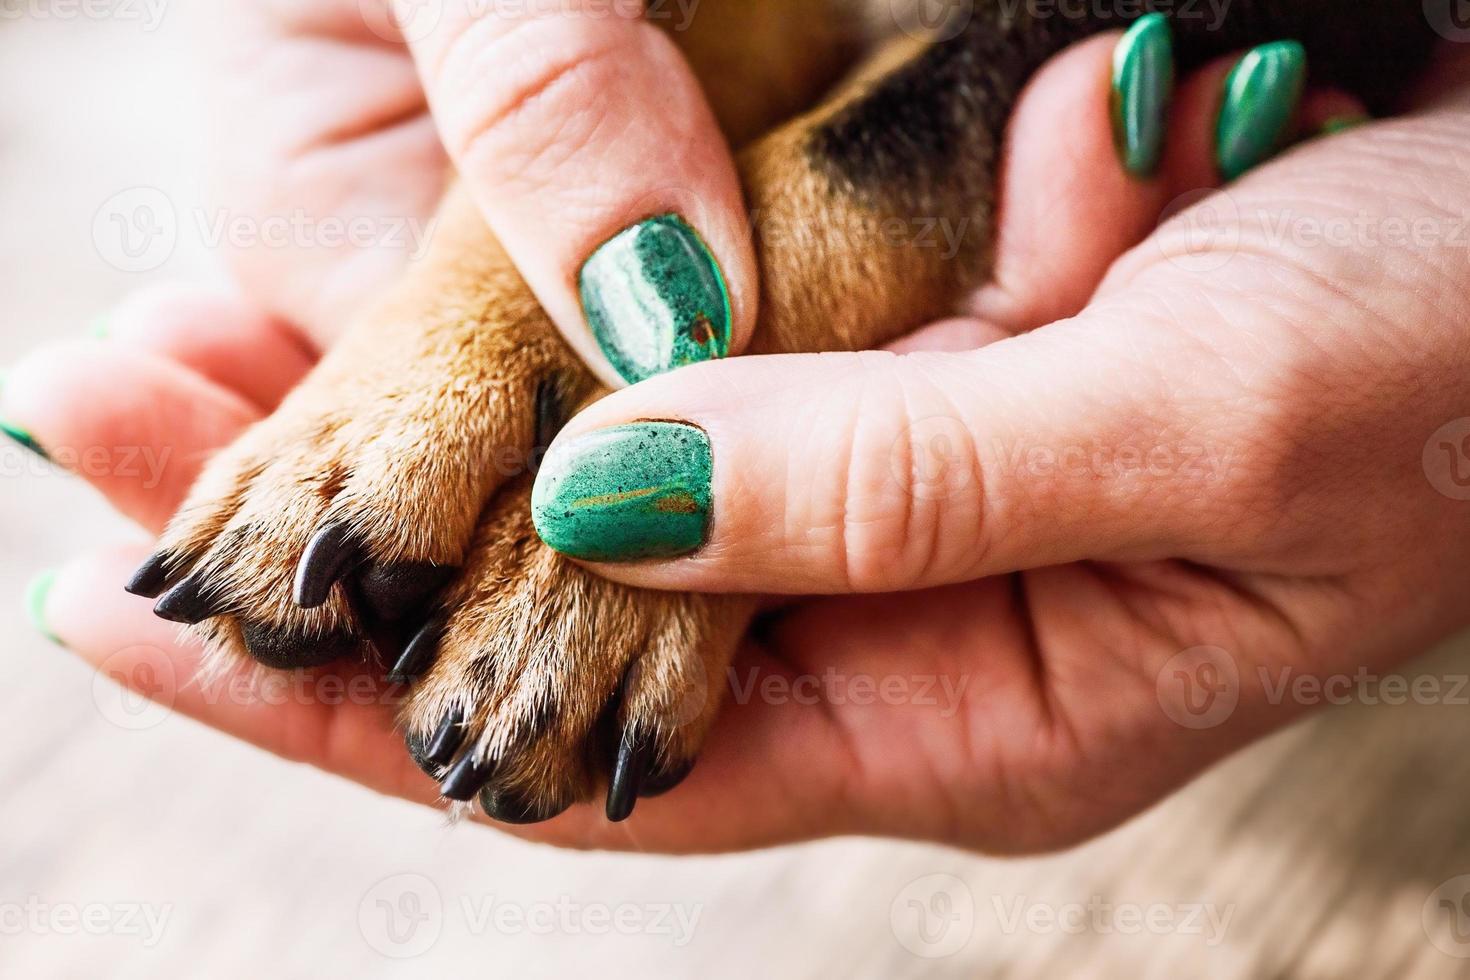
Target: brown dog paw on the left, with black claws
(371, 477)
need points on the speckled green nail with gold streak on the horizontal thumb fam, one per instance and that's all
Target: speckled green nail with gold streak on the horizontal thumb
(628, 493)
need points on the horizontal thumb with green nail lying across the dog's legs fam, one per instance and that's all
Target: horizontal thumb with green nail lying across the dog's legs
(881, 472)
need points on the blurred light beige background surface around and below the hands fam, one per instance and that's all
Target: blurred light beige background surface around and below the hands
(1318, 854)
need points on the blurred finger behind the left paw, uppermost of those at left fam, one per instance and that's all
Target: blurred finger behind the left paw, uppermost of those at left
(217, 336)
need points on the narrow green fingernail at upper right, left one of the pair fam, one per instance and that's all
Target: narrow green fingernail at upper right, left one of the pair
(1143, 86)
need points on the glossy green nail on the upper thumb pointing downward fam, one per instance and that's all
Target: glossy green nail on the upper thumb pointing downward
(655, 299)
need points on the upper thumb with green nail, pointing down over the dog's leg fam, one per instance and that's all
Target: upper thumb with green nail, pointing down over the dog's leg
(590, 148)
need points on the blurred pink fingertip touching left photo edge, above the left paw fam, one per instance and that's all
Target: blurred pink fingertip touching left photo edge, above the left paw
(136, 427)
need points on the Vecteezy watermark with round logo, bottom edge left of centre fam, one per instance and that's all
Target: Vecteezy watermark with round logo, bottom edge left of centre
(404, 916)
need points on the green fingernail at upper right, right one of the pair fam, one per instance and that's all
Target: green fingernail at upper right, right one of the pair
(1261, 101)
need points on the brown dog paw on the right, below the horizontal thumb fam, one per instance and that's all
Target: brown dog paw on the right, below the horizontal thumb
(540, 684)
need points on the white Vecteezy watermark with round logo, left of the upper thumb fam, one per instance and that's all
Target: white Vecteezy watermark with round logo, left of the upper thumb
(140, 228)
